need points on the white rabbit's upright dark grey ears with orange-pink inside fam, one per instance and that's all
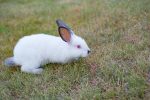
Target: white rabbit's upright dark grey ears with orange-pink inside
(64, 31)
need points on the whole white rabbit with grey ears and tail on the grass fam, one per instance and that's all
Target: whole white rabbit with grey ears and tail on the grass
(31, 52)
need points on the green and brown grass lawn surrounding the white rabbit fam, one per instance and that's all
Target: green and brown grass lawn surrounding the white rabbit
(117, 31)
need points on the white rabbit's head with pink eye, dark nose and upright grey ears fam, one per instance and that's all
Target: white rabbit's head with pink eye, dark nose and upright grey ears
(76, 43)
